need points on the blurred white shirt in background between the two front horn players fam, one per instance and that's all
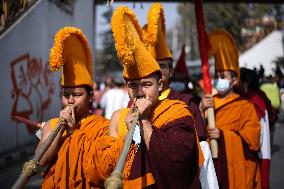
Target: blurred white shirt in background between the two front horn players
(112, 100)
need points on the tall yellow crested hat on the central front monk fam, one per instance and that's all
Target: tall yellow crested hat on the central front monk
(131, 51)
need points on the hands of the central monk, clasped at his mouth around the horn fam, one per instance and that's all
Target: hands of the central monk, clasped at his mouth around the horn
(143, 106)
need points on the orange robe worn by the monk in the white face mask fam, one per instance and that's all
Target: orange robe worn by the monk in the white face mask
(237, 119)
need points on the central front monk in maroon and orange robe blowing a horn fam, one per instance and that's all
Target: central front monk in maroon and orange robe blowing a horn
(165, 148)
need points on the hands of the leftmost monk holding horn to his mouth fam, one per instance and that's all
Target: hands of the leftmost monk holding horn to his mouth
(68, 114)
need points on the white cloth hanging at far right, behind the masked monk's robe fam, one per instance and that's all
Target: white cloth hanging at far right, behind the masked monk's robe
(265, 151)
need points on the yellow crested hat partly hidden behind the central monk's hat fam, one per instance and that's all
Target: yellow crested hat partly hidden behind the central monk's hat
(155, 33)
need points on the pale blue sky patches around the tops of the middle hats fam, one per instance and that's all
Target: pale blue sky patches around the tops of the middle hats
(170, 11)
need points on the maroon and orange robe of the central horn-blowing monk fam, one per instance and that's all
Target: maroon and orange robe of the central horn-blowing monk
(174, 150)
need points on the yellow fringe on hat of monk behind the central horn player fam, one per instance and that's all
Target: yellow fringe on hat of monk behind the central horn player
(156, 12)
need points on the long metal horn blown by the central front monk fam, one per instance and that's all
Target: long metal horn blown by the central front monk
(115, 179)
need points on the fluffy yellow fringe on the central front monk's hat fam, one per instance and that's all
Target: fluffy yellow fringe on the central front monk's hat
(124, 50)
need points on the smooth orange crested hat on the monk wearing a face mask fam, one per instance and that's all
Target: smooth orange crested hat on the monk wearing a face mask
(225, 51)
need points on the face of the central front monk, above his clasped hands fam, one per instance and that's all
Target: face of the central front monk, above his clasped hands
(149, 88)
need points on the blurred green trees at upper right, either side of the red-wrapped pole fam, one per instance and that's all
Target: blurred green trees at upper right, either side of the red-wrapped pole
(228, 16)
